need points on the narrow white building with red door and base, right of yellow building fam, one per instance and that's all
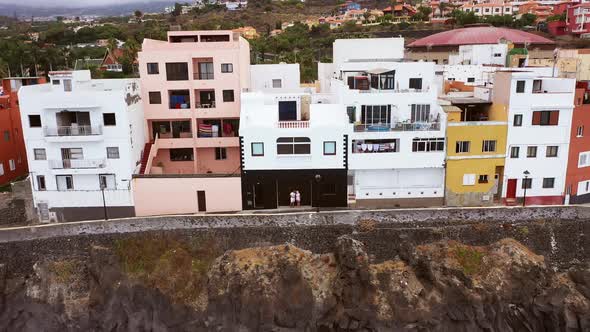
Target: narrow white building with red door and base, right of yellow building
(539, 120)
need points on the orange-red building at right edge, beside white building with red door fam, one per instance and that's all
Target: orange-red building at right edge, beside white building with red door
(578, 168)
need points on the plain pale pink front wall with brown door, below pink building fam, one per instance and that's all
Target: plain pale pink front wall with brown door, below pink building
(161, 195)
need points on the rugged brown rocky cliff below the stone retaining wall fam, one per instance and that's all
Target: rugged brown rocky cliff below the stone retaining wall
(161, 283)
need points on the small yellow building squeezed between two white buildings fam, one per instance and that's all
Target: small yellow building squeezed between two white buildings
(476, 148)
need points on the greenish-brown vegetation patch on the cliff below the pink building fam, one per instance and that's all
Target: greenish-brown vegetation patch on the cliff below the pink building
(176, 268)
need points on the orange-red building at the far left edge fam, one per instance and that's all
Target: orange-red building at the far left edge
(13, 158)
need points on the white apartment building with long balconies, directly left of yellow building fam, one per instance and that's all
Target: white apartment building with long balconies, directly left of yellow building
(396, 127)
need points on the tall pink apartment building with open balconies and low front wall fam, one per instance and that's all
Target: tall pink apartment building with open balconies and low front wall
(191, 87)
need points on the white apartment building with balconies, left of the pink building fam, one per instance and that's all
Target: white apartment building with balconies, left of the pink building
(84, 139)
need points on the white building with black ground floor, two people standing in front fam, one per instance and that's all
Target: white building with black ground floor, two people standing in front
(292, 139)
